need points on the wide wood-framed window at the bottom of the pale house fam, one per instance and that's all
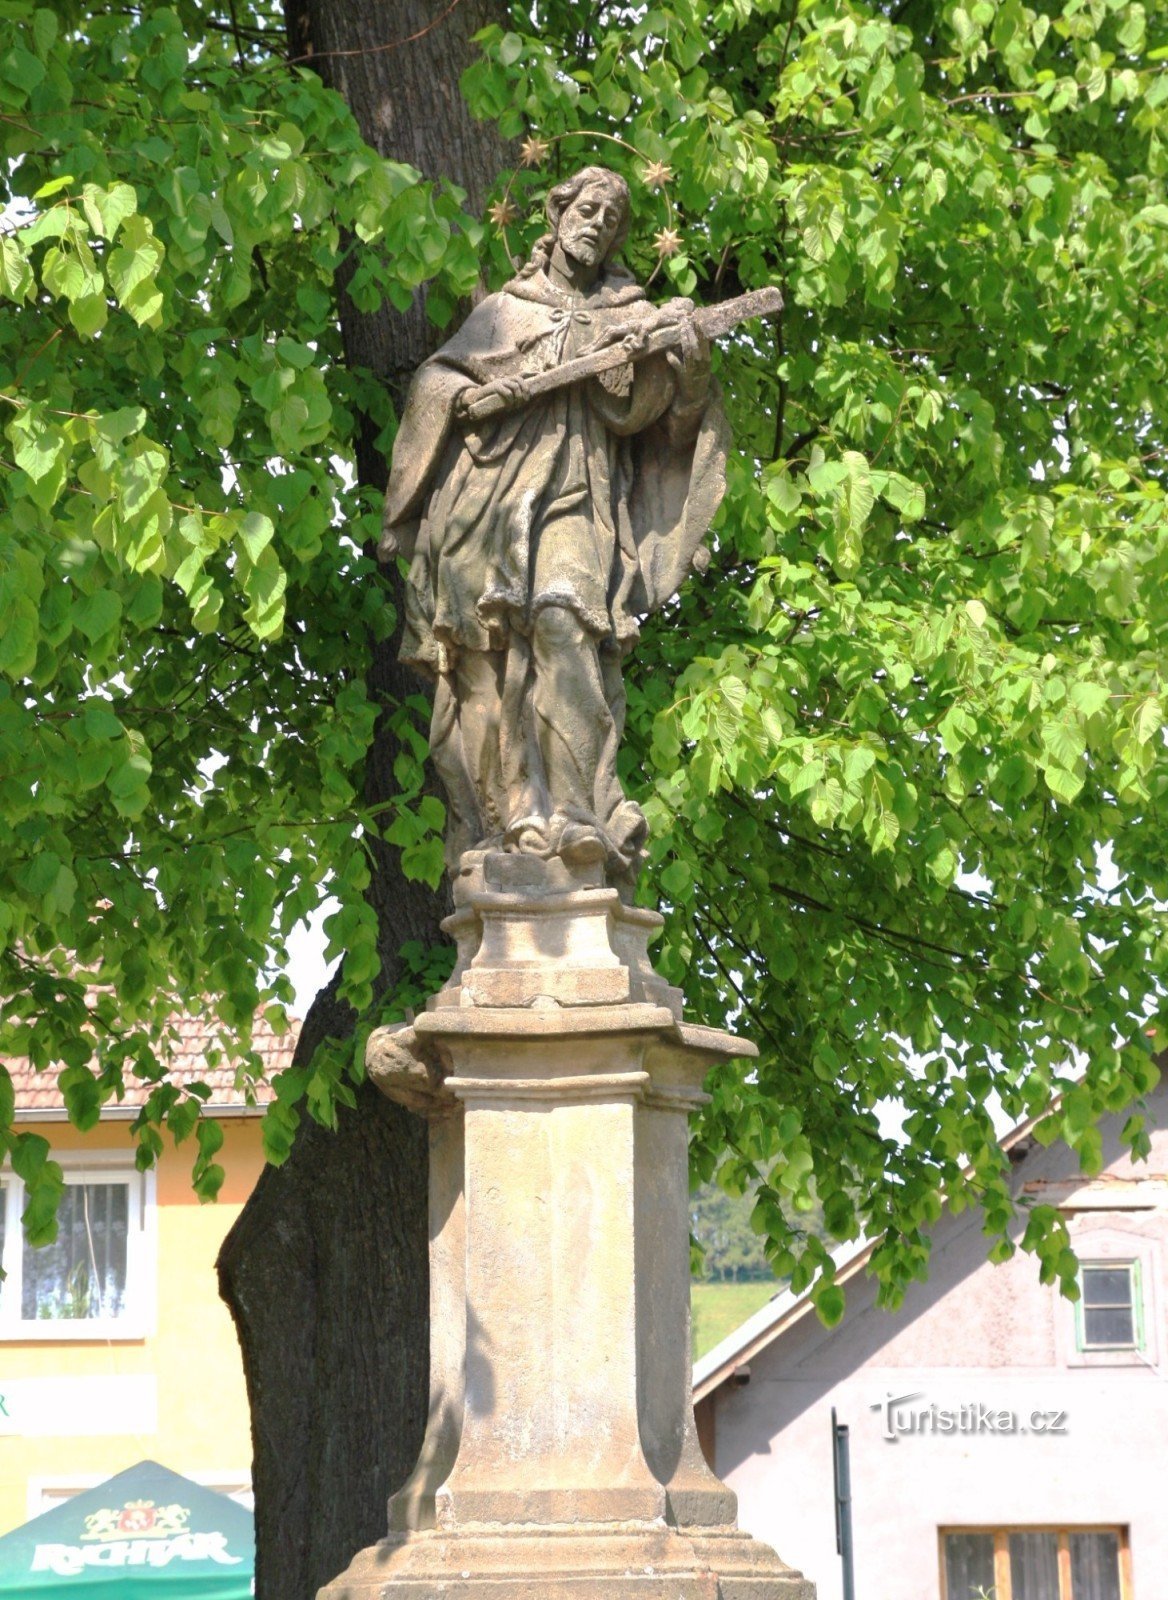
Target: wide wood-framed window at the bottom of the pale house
(1036, 1564)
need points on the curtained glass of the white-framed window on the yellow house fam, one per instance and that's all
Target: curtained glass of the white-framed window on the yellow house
(82, 1276)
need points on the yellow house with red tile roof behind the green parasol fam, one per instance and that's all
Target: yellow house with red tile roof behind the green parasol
(114, 1345)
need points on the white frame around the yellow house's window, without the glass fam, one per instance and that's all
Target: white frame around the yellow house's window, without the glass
(138, 1319)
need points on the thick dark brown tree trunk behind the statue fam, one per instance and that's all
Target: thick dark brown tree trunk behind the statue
(326, 1271)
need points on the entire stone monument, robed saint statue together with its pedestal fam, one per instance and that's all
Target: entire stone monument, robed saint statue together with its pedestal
(543, 518)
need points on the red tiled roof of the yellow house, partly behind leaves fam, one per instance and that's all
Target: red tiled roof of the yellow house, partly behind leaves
(39, 1090)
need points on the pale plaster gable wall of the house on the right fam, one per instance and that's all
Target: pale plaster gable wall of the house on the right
(972, 1337)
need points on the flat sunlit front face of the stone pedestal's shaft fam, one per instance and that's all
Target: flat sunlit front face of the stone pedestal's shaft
(551, 1428)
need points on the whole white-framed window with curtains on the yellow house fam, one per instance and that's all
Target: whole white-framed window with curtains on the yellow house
(94, 1279)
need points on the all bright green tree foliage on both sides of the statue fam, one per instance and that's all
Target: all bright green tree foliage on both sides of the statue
(902, 746)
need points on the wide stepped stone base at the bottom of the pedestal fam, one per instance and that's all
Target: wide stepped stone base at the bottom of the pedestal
(572, 1562)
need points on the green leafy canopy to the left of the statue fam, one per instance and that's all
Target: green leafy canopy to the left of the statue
(186, 615)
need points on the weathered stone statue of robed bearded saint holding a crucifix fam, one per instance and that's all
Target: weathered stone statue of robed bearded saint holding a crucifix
(540, 537)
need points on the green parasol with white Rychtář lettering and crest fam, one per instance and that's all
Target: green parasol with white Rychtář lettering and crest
(143, 1535)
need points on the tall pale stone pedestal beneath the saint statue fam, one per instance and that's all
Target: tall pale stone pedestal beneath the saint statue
(561, 1458)
